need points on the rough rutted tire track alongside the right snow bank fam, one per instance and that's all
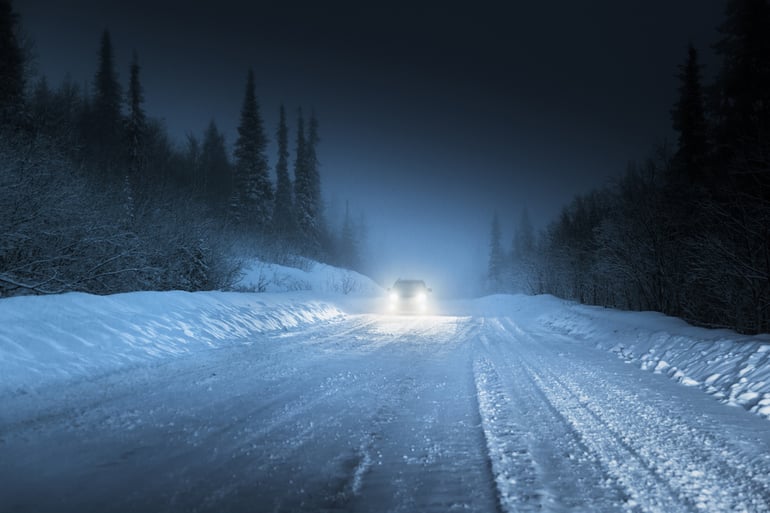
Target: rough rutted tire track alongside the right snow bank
(665, 464)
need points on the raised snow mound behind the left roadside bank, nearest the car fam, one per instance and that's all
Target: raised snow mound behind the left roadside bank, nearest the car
(265, 277)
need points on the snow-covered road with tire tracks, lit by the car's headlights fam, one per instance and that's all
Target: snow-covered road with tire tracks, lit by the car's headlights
(380, 413)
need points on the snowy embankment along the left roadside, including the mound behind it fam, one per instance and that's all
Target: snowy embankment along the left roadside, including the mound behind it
(70, 336)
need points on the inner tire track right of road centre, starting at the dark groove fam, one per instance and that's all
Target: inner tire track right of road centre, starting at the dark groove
(540, 461)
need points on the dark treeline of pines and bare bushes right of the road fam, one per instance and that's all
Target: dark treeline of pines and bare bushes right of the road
(686, 231)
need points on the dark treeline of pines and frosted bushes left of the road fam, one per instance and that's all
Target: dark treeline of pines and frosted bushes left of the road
(95, 197)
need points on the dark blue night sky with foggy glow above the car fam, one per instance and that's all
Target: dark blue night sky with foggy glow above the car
(432, 116)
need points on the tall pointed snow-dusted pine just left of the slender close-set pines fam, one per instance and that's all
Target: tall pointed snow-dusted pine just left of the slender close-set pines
(253, 194)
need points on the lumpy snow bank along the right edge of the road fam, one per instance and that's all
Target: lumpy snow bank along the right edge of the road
(733, 368)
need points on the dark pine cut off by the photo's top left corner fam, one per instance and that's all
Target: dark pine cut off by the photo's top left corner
(11, 67)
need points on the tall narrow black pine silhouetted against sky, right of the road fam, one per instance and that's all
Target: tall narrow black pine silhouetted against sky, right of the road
(689, 119)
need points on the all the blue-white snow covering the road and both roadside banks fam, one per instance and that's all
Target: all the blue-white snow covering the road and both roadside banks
(308, 398)
